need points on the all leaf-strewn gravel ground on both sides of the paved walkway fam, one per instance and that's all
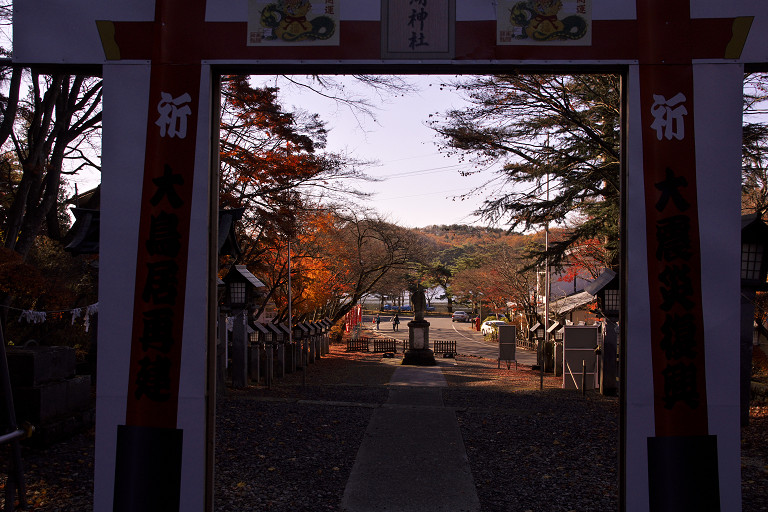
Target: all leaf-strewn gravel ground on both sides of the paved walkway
(292, 447)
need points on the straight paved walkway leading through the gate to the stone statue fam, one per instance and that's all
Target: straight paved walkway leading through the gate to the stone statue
(412, 457)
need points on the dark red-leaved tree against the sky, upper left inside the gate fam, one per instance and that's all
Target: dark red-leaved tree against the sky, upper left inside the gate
(272, 161)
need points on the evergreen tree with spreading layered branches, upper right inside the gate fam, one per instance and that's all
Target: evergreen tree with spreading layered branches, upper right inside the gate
(554, 142)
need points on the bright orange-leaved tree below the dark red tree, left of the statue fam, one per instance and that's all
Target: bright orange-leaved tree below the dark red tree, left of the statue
(337, 257)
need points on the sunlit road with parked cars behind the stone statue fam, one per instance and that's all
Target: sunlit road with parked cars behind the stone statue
(468, 340)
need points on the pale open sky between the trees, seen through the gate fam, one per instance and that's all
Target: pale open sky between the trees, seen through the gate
(420, 186)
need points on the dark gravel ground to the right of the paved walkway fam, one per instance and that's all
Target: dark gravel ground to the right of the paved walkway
(532, 450)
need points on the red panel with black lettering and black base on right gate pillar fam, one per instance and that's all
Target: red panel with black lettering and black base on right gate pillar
(682, 456)
